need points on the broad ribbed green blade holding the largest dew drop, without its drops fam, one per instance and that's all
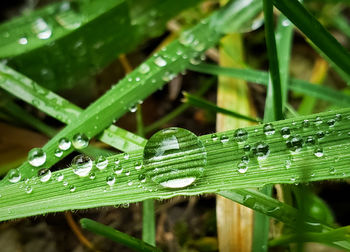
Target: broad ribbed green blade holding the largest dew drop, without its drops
(221, 173)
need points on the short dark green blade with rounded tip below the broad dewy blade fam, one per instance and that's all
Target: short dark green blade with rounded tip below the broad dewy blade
(117, 236)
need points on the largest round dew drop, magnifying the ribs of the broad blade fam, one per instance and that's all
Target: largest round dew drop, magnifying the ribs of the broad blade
(174, 158)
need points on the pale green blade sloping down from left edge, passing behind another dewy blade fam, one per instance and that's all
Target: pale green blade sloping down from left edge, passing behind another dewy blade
(61, 109)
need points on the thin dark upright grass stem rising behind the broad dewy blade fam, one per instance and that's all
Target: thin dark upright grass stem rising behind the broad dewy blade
(273, 104)
